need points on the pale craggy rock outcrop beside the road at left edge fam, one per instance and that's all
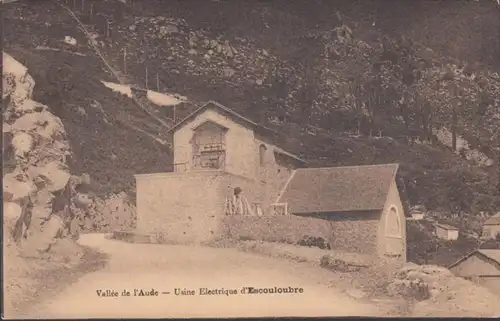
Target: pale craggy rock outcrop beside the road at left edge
(38, 176)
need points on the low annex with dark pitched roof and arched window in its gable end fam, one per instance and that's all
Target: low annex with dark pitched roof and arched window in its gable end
(361, 205)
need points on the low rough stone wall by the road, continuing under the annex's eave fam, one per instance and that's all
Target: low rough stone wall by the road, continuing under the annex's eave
(350, 235)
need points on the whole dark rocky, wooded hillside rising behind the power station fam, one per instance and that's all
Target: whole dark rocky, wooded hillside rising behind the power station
(340, 92)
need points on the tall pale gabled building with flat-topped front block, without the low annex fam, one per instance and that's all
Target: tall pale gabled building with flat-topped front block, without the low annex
(216, 152)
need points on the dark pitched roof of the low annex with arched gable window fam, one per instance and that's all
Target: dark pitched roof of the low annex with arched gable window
(339, 189)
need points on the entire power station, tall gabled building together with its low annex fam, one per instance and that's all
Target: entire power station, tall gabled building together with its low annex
(227, 166)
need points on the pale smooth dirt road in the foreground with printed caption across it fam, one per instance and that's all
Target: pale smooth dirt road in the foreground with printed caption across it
(164, 268)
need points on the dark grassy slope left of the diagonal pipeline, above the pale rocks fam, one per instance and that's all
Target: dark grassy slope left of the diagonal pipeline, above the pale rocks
(69, 84)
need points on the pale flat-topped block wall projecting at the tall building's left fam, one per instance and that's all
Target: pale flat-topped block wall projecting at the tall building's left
(183, 208)
